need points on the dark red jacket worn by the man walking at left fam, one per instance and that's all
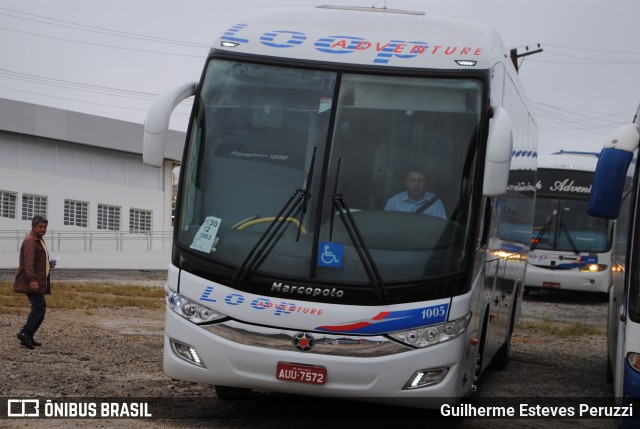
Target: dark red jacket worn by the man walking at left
(33, 265)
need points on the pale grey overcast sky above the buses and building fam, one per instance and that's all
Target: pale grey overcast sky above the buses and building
(112, 58)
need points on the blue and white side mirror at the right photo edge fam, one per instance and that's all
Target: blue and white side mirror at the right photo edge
(611, 172)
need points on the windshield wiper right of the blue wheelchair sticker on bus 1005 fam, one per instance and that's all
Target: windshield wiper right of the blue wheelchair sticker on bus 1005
(356, 238)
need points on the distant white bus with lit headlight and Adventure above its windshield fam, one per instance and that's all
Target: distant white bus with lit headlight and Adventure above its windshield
(570, 249)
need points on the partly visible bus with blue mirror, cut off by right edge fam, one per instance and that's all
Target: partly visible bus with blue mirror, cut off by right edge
(615, 196)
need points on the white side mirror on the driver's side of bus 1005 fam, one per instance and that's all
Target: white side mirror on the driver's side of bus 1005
(499, 151)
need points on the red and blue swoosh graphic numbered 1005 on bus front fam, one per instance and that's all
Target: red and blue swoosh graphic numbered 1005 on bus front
(389, 321)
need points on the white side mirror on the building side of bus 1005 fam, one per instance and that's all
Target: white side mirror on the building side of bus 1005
(156, 124)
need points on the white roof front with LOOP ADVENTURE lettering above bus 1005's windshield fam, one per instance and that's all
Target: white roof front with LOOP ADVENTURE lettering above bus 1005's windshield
(366, 36)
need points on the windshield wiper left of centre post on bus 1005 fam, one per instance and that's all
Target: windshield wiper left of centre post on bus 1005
(258, 251)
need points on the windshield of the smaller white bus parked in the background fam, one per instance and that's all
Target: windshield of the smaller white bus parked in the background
(564, 225)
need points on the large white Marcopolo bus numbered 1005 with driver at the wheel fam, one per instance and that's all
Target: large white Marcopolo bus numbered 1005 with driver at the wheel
(287, 272)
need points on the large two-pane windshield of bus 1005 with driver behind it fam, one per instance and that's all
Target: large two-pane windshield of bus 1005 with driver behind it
(289, 172)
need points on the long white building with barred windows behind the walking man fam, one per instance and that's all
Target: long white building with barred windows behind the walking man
(106, 209)
